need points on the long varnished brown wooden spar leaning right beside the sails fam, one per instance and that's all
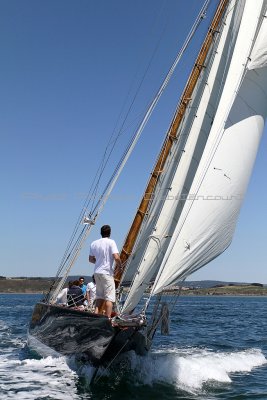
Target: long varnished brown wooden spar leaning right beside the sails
(172, 135)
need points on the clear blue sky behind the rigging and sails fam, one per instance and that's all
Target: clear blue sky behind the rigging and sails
(69, 70)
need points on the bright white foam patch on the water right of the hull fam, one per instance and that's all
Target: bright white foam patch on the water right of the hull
(192, 368)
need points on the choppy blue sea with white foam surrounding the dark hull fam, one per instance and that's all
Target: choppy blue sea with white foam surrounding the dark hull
(217, 349)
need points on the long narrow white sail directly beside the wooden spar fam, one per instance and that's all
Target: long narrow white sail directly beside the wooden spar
(178, 173)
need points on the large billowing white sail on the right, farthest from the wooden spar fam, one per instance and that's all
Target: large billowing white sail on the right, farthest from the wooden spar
(207, 224)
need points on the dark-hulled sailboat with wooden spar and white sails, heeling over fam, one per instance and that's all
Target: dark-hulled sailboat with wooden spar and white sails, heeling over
(190, 206)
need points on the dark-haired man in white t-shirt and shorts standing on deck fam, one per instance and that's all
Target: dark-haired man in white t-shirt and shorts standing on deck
(103, 252)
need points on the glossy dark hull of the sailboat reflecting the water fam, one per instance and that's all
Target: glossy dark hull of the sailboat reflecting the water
(72, 332)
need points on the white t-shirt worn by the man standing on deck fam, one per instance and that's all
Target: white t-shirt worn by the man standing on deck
(103, 250)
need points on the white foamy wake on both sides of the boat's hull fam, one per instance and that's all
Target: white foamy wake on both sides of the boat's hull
(188, 370)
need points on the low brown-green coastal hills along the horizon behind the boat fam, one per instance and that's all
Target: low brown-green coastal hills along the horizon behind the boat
(200, 288)
